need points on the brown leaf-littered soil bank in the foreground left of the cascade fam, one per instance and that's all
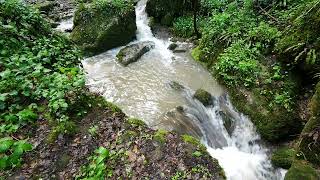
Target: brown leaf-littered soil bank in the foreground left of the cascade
(141, 152)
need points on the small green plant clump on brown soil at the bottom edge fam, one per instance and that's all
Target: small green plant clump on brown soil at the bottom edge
(96, 169)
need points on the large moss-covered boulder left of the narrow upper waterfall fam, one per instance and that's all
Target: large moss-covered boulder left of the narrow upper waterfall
(102, 25)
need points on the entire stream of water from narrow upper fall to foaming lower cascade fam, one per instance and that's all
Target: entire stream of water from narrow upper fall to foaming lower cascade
(144, 90)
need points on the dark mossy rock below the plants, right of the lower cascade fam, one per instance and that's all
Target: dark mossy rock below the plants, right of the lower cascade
(273, 125)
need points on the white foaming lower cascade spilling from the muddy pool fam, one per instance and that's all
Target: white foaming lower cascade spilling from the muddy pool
(240, 153)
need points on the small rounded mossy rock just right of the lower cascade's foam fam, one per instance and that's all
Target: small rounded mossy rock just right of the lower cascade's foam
(283, 157)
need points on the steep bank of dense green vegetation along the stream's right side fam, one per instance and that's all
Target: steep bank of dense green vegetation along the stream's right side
(266, 53)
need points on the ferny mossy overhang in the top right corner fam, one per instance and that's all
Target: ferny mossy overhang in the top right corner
(301, 42)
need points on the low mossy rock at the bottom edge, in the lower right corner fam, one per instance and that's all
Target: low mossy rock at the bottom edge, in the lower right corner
(301, 170)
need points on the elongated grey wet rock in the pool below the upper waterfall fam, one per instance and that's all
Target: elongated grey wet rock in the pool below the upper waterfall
(132, 53)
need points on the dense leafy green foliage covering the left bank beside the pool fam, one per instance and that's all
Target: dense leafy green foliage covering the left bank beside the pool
(36, 67)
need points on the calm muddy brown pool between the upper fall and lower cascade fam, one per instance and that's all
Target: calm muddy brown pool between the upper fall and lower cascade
(143, 89)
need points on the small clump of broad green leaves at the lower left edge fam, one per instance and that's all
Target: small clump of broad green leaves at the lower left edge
(11, 152)
